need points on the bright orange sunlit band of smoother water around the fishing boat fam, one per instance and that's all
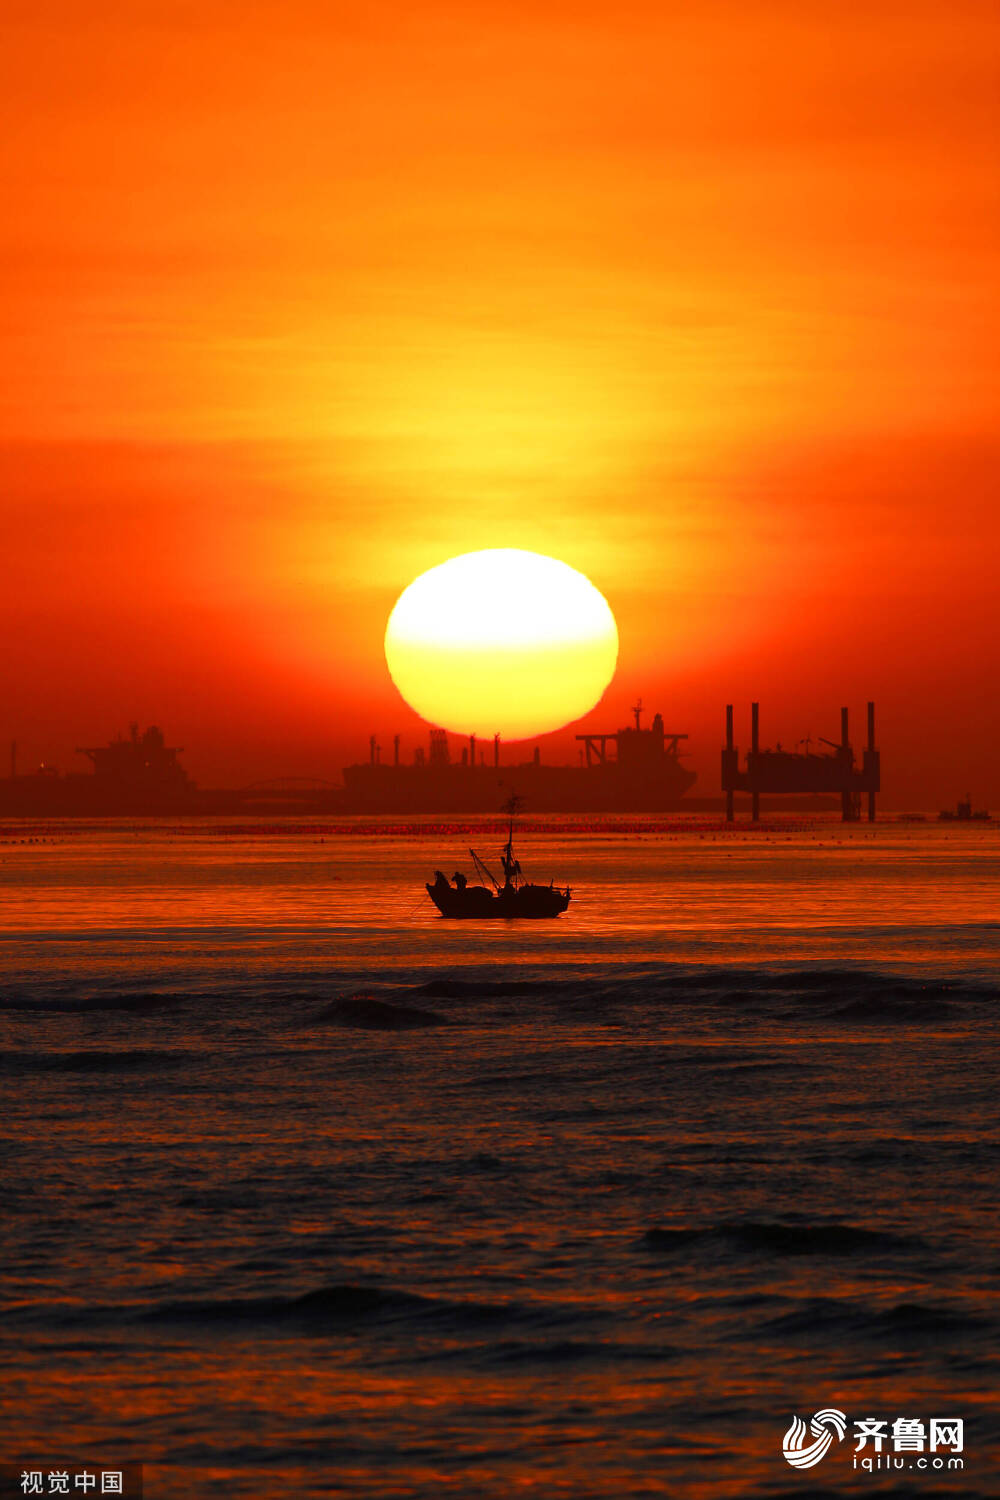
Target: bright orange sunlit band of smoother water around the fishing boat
(893, 895)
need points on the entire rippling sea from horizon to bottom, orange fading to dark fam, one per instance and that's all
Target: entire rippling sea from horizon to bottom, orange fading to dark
(311, 1193)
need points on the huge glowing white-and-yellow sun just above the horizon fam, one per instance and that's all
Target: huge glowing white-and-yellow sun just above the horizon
(501, 643)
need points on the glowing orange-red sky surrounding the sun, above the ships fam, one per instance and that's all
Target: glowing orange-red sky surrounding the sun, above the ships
(304, 299)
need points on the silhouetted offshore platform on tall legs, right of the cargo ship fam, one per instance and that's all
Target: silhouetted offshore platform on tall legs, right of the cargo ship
(797, 772)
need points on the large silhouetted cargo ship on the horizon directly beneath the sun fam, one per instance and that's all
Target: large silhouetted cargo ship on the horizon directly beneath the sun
(632, 770)
